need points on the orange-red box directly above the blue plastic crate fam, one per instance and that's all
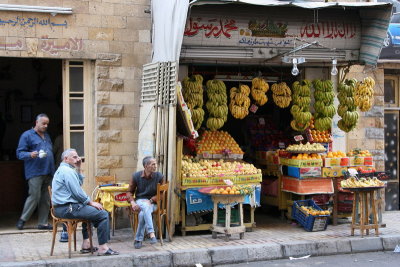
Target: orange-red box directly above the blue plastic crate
(307, 186)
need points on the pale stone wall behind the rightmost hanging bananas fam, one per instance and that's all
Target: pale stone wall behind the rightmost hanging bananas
(369, 133)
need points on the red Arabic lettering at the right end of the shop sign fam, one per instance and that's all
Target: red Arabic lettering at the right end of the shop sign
(330, 30)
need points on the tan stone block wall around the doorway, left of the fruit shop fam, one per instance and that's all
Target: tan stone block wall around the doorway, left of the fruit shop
(115, 34)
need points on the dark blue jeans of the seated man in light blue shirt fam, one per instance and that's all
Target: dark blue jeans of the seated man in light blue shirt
(99, 219)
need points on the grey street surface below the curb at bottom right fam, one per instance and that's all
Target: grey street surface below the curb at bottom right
(371, 259)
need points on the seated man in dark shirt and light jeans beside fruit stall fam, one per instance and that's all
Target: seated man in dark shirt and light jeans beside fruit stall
(144, 187)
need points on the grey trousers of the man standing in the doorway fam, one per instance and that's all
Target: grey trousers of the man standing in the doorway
(38, 198)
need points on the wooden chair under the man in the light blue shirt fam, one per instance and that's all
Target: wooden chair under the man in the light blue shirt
(71, 224)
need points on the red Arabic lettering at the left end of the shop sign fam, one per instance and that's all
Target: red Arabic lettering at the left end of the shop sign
(213, 27)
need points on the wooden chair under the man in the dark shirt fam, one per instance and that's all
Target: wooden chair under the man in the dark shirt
(160, 213)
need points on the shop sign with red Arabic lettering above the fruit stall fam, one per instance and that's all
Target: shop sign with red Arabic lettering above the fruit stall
(271, 27)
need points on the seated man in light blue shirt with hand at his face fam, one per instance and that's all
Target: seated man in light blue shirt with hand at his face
(71, 202)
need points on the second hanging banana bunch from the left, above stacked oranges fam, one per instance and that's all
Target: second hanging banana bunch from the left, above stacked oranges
(216, 104)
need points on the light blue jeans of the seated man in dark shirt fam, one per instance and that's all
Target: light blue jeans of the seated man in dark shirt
(145, 218)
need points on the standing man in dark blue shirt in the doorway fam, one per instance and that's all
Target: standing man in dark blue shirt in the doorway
(35, 149)
